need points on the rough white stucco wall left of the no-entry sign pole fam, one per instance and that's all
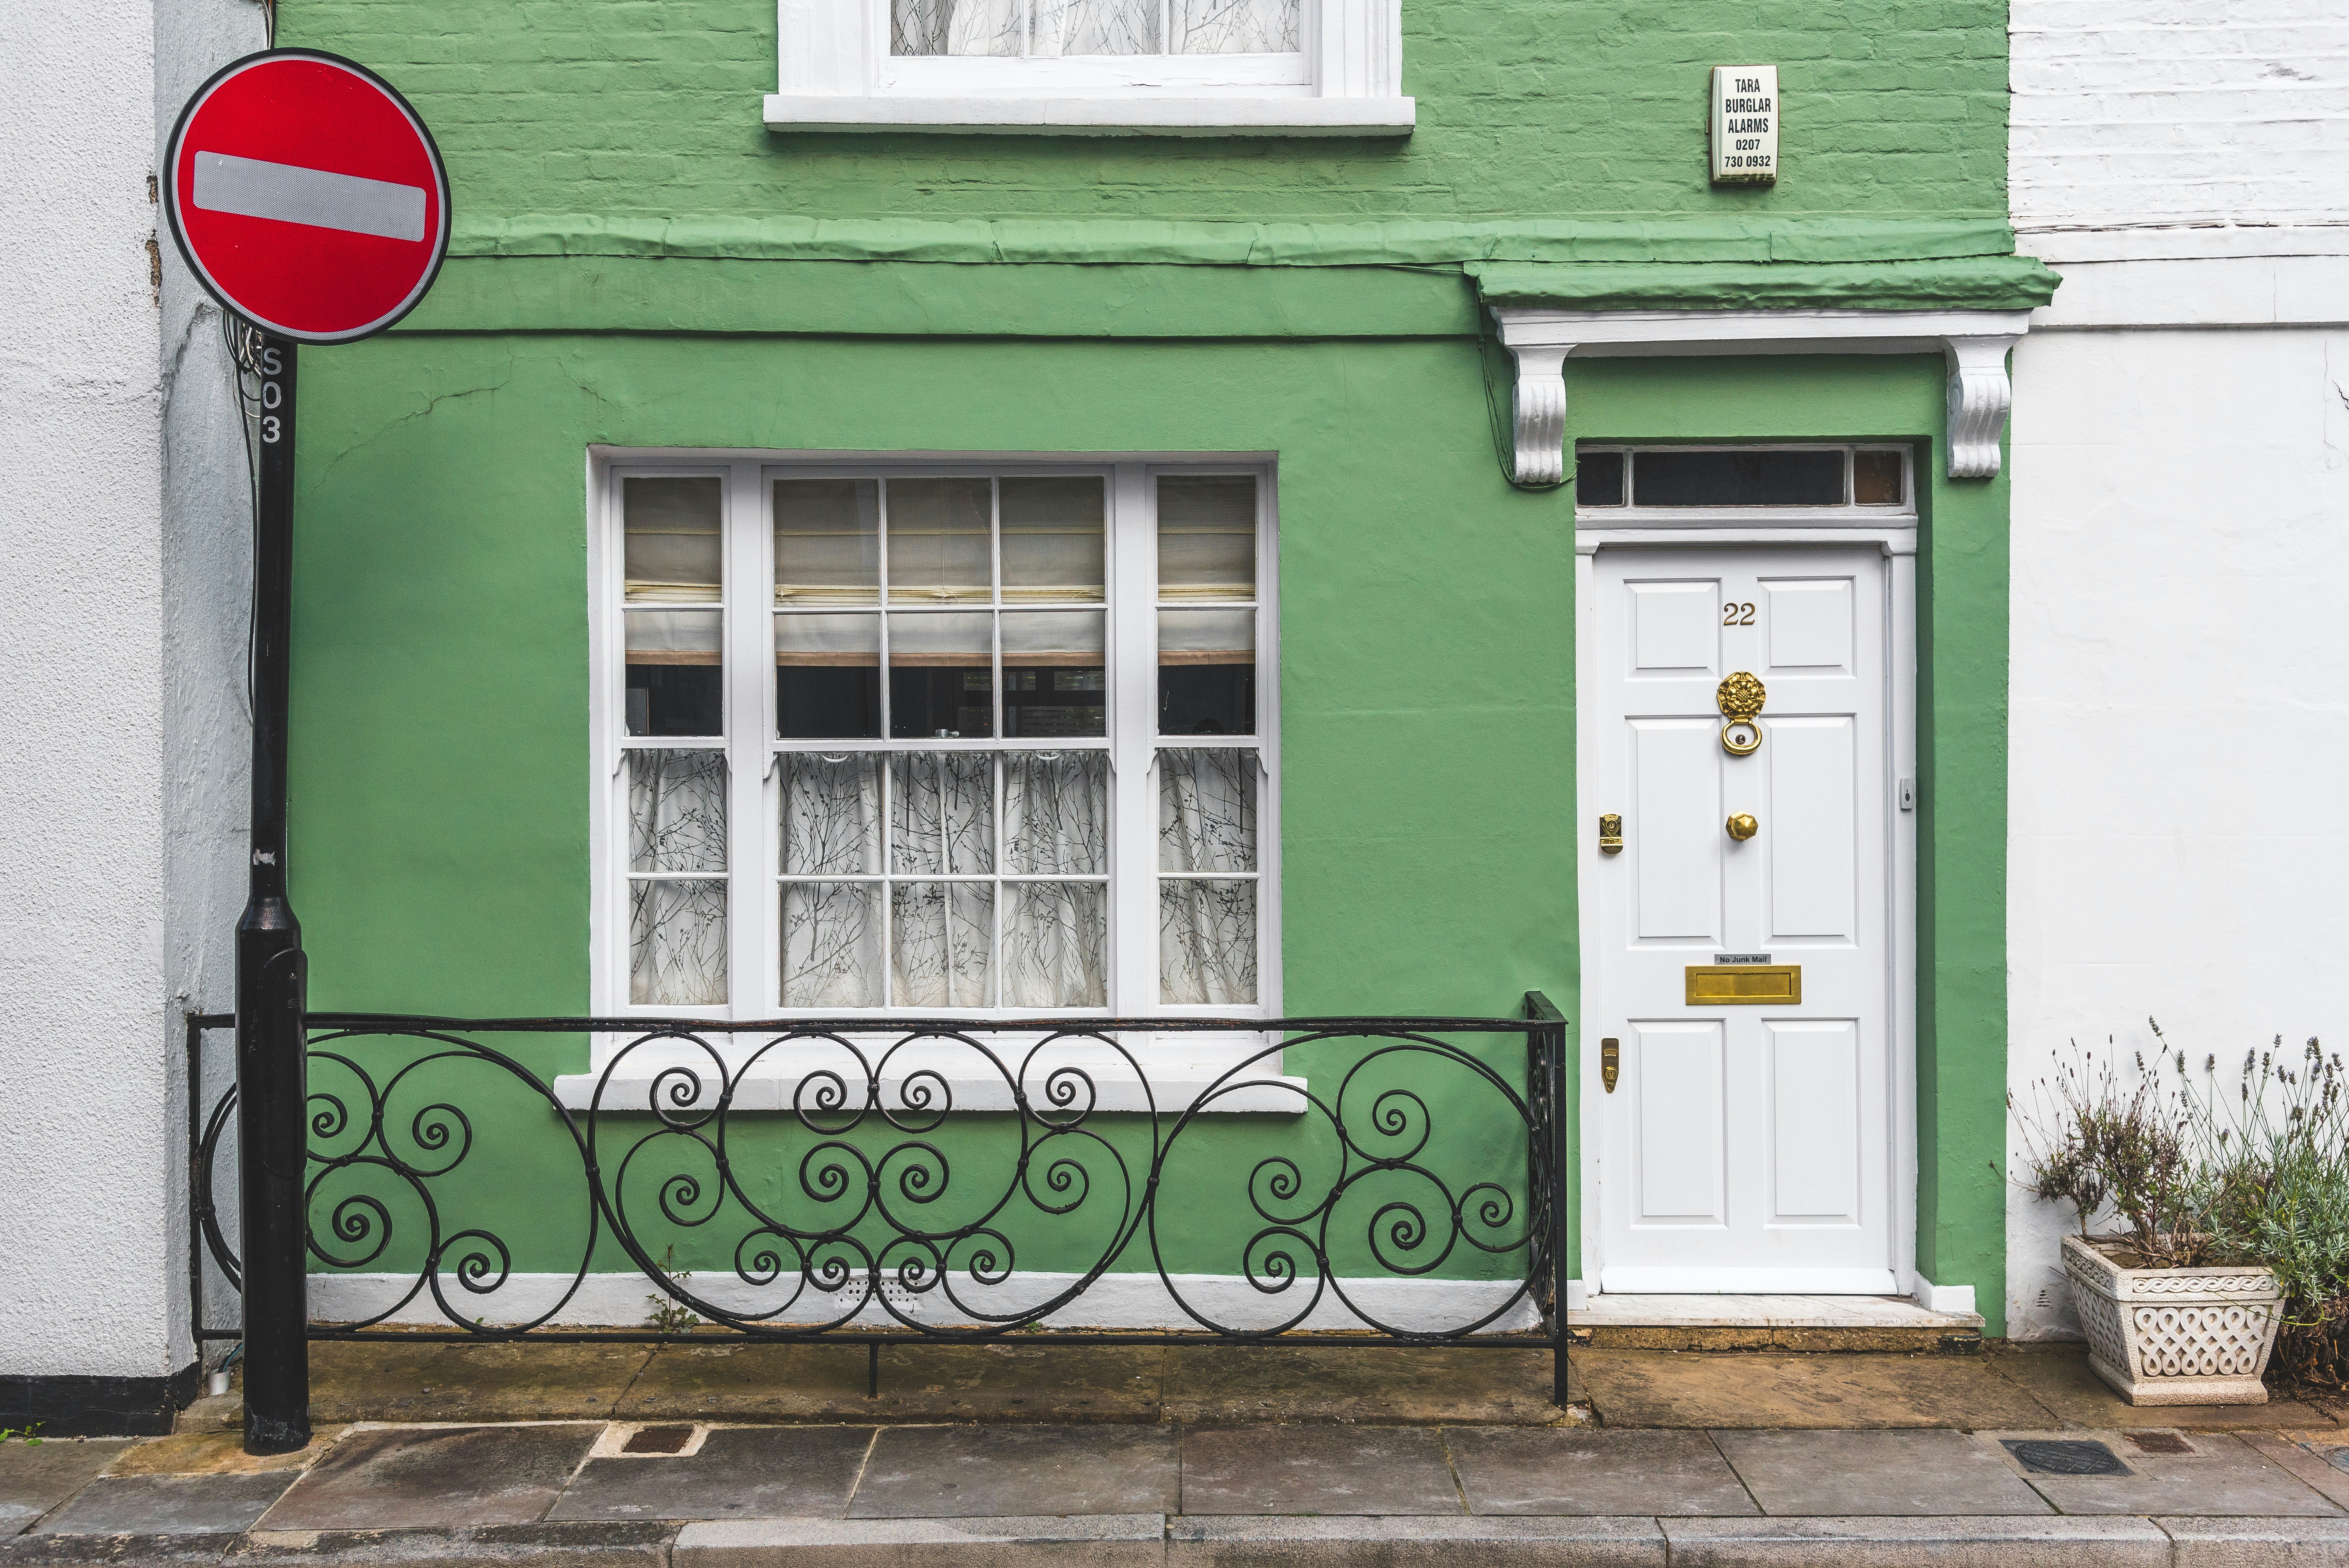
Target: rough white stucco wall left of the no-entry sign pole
(121, 673)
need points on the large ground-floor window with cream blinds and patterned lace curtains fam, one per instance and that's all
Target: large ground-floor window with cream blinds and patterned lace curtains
(1014, 752)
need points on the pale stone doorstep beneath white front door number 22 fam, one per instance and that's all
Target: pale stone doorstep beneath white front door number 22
(1772, 1323)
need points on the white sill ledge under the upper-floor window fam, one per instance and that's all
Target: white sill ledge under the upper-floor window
(1117, 116)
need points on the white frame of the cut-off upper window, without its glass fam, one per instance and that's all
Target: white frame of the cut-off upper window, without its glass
(837, 74)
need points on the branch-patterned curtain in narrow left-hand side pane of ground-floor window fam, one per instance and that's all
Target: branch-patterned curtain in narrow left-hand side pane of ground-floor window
(678, 926)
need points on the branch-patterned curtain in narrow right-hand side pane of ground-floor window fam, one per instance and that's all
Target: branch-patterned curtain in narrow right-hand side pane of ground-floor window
(1206, 926)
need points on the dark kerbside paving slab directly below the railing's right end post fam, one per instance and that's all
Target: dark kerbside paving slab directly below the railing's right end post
(1556, 1471)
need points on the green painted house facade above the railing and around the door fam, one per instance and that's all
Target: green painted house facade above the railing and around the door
(642, 264)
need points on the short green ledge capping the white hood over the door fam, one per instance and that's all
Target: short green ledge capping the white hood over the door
(1963, 283)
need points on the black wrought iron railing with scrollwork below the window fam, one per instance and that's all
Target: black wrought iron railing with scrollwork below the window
(1378, 1182)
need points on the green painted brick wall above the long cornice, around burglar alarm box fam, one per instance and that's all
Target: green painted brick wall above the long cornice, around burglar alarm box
(1526, 109)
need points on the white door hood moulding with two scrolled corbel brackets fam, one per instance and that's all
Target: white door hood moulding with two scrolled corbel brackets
(1972, 342)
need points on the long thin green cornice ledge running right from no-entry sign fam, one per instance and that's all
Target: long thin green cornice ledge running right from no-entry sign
(1241, 245)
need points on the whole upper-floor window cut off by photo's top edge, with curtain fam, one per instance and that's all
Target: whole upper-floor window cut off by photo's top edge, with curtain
(1093, 67)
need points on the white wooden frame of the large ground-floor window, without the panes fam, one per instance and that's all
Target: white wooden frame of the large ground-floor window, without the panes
(755, 785)
